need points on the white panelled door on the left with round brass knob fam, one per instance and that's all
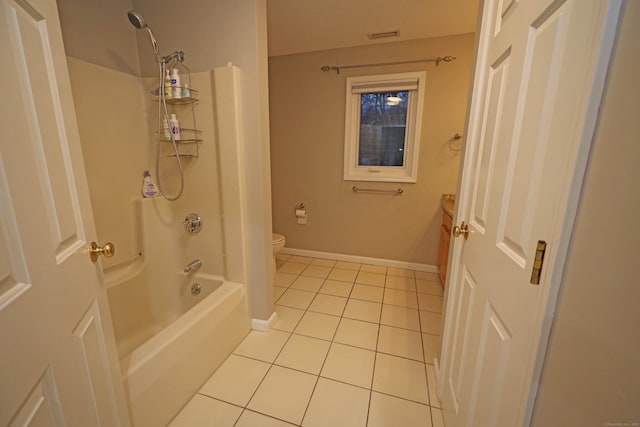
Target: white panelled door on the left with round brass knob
(58, 364)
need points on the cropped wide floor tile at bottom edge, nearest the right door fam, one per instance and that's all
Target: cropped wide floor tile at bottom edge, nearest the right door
(389, 411)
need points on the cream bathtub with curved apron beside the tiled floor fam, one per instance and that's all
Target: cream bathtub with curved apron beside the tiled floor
(169, 340)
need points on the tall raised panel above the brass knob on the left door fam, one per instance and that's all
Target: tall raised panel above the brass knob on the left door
(30, 42)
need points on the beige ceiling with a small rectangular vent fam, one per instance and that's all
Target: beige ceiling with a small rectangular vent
(296, 26)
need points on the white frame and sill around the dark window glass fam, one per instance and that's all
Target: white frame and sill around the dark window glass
(414, 82)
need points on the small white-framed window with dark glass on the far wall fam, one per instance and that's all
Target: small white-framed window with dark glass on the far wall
(382, 127)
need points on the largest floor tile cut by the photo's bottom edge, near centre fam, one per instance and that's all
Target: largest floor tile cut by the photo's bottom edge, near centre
(337, 404)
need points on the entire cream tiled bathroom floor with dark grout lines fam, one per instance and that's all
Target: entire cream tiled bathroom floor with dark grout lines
(353, 346)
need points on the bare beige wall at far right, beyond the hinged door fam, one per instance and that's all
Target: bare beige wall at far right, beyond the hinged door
(591, 374)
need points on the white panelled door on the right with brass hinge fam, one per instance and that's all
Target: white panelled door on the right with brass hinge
(539, 74)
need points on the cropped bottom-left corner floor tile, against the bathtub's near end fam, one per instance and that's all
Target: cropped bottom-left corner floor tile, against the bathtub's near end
(203, 411)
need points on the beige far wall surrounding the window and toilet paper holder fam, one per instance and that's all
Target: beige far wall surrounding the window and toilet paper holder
(307, 143)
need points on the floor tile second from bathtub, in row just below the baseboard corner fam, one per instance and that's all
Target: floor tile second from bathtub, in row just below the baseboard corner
(304, 354)
